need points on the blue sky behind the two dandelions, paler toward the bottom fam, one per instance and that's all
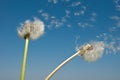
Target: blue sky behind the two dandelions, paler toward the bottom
(68, 25)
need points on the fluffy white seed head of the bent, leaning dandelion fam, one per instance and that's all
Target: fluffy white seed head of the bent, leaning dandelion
(93, 52)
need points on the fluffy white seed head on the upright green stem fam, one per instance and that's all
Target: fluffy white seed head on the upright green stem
(32, 30)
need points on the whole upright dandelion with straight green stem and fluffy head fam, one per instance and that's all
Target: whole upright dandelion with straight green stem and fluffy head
(29, 30)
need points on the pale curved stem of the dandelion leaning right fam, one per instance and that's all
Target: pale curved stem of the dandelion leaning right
(62, 64)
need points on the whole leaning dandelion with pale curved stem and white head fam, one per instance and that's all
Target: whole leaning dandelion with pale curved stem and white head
(90, 52)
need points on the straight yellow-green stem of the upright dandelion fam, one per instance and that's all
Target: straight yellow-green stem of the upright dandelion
(22, 76)
